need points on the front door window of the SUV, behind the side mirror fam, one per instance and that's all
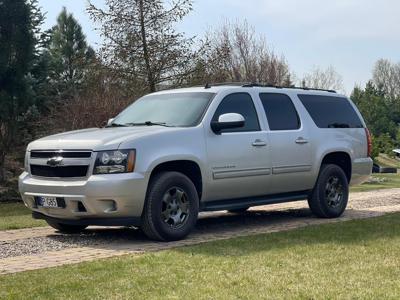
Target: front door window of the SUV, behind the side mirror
(240, 103)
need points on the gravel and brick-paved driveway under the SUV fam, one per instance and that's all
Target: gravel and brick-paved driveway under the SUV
(28, 249)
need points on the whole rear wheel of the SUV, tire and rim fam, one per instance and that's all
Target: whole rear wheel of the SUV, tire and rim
(331, 192)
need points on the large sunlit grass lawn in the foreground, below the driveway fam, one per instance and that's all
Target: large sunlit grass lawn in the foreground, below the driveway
(350, 260)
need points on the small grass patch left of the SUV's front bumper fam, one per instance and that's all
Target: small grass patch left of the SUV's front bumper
(16, 216)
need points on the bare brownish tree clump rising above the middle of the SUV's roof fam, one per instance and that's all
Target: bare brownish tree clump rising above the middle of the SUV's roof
(235, 53)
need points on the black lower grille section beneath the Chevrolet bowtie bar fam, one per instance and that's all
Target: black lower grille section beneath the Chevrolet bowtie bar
(62, 171)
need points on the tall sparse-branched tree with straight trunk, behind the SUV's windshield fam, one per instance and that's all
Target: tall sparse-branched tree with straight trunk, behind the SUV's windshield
(140, 40)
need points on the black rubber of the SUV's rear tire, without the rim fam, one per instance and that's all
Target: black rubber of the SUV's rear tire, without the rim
(326, 172)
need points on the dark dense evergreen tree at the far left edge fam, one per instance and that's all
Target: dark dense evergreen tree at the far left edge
(17, 47)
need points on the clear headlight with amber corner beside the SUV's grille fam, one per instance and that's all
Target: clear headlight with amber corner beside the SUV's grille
(118, 161)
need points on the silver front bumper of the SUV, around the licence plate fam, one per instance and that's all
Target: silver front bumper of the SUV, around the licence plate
(113, 196)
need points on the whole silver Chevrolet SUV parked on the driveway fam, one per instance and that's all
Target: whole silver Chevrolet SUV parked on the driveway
(175, 153)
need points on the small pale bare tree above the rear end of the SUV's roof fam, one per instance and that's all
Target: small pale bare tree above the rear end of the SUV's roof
(320, 78)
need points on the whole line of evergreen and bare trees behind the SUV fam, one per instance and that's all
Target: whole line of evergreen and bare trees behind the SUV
(52, 81)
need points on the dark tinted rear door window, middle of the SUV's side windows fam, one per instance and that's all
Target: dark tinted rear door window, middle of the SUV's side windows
(280, 111)
